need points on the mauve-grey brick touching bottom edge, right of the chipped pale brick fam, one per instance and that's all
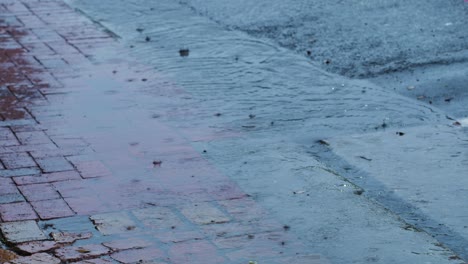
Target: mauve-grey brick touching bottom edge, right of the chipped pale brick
(138, 255)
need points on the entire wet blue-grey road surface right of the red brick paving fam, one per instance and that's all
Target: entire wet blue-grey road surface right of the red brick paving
(361, 165)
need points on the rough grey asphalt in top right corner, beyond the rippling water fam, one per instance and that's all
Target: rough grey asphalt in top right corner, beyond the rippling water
(396, 44)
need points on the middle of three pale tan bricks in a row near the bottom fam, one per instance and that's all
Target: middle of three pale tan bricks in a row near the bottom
(158, 218)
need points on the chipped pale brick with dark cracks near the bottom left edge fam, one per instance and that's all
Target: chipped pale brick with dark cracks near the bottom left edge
(76, 253)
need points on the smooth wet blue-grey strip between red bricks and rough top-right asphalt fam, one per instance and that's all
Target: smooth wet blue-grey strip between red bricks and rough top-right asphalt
(283, 105)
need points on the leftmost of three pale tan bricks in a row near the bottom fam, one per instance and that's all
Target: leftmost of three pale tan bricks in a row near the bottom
(114, 223)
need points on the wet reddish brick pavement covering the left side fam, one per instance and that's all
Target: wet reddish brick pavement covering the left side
(61, 202)
